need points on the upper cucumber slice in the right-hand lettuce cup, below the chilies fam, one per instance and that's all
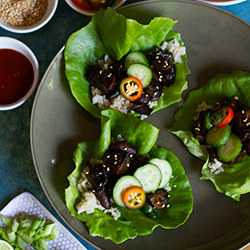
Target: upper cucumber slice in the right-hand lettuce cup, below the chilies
(218, 136)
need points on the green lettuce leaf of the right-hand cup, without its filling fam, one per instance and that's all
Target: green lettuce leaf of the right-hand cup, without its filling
(235, 180)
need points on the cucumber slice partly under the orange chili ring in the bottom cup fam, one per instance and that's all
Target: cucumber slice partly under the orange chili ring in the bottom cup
(123, 183)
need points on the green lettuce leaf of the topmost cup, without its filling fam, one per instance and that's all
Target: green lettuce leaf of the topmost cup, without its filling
(109, 33)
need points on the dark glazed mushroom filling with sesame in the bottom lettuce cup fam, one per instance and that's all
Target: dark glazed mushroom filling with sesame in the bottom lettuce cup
(120, 160)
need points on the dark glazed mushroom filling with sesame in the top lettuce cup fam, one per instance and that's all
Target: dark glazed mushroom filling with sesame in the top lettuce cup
(163, 74)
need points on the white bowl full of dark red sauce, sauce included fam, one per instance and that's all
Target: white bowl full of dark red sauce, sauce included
(19, 73)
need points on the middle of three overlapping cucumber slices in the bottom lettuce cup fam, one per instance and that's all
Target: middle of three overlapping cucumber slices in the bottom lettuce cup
(150, 177)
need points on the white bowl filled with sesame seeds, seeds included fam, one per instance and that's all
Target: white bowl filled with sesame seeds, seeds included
(26, 16)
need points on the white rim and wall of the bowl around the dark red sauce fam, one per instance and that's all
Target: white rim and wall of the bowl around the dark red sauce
(11, 43)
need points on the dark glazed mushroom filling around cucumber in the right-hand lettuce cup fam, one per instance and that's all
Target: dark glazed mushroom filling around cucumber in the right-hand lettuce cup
(240, 126)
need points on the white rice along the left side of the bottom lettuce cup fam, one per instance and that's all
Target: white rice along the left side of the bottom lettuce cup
(89, 202)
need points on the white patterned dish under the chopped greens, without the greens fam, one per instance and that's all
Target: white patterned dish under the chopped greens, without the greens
(27, 203)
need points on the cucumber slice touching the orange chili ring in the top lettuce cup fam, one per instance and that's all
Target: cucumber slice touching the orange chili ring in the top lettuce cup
(142, 72)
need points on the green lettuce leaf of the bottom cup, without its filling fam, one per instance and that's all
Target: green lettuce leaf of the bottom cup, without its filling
(142, 136)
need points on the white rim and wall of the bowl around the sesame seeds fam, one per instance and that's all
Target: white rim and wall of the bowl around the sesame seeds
(51, 8)
